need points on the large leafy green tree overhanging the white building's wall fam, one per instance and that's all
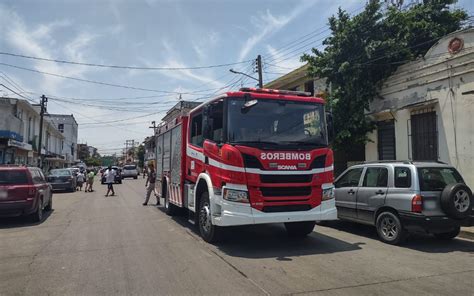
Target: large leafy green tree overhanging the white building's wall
(362, 51)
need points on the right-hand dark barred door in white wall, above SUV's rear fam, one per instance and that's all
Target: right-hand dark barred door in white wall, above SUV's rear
(424, 136)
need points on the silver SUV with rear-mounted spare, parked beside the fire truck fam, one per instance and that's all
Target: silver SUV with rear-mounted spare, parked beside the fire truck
(402, 197)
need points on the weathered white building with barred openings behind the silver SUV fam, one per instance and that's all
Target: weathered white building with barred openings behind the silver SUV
(424, 110)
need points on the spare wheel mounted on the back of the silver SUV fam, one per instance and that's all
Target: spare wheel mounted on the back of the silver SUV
(456, 200)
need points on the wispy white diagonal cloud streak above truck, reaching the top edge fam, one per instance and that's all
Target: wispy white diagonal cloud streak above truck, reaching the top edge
(268, 24)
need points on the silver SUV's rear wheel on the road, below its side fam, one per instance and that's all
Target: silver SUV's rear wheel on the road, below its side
(390, 229)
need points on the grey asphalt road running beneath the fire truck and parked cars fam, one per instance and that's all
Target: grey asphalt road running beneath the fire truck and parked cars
(93, 245)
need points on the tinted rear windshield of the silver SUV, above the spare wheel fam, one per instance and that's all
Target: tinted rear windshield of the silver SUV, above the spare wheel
(435, 179)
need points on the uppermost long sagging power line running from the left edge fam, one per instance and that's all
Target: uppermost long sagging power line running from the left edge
(121, 67)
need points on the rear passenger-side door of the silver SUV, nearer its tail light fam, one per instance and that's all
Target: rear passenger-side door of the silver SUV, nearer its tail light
(372, 192)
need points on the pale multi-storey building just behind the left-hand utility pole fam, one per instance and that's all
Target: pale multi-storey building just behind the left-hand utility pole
(67, 125)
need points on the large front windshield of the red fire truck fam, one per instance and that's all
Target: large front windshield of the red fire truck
(276, 122)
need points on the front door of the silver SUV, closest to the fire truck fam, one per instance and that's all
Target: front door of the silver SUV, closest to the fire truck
(345, 192)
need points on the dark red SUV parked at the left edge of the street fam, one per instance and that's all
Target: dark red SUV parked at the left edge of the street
(24, 191)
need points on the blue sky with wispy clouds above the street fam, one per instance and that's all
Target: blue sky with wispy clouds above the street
(121, 103)
